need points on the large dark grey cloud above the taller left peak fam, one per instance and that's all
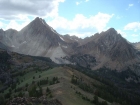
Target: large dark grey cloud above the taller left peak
(9, 9)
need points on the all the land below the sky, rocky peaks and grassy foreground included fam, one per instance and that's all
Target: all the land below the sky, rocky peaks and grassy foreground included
(38, 66)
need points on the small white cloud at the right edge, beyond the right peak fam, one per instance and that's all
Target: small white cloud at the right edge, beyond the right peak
(132, 26)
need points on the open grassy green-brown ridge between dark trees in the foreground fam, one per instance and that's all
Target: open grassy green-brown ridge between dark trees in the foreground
(64, 91)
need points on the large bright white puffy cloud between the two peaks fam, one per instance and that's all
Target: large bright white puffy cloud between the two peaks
(81, 24)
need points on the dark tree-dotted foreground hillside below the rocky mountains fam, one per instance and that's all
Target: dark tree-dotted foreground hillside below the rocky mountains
(37, 80)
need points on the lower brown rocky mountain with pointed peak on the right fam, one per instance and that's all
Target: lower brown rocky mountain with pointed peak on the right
(110, 49)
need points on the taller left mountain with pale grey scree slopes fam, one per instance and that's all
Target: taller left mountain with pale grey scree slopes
(37, 39)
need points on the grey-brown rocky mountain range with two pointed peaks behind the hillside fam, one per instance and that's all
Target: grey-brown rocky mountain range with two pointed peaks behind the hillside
(106, 49)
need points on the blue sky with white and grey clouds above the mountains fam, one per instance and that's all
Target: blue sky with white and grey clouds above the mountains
(82, 18)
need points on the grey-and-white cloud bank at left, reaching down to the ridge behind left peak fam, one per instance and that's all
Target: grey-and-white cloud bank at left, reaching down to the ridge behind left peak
(18, 14)
